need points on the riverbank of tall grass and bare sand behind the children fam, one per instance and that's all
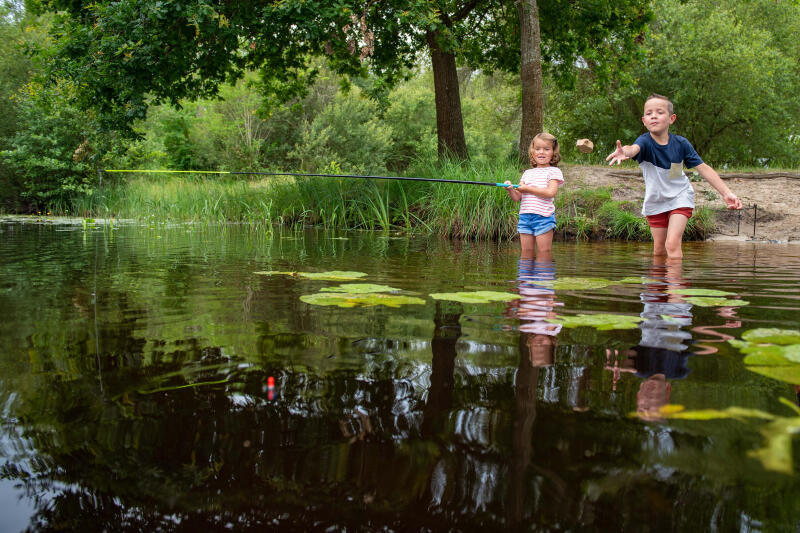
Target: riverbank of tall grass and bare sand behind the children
(595, 203)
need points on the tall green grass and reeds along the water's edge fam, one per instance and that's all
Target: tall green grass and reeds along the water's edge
(447, 209)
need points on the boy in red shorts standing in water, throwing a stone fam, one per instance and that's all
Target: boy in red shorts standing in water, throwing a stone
(669, 197)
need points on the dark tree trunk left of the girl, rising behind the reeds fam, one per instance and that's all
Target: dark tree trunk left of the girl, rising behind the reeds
(449, 123)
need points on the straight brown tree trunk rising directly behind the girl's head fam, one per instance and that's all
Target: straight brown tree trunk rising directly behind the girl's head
(530, 75)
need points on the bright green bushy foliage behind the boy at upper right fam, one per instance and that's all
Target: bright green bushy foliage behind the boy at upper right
(732, 80)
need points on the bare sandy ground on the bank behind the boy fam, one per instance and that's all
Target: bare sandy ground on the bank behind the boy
(771, 200)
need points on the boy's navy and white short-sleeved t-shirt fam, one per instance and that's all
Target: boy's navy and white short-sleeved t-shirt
(666, 184)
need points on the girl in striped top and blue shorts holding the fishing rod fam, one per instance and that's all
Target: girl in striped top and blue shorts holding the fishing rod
(537, 188)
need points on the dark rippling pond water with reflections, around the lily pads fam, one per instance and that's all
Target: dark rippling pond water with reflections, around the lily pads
(136, 363)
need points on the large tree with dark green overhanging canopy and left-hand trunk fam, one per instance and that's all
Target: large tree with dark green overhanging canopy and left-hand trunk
(129, 54)
